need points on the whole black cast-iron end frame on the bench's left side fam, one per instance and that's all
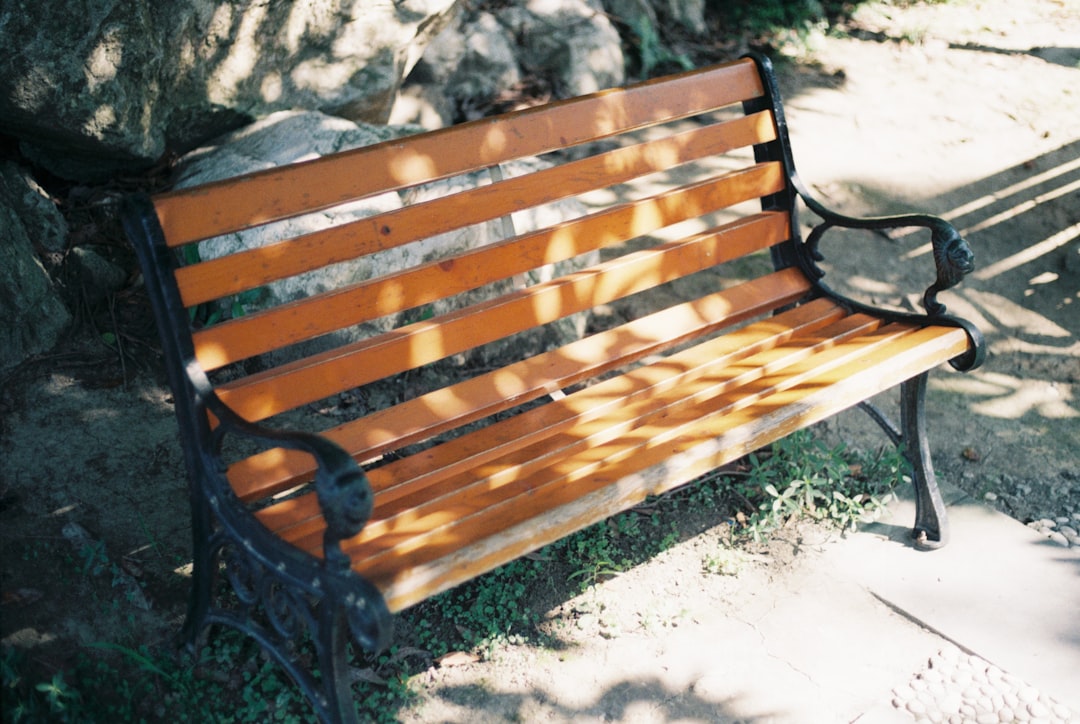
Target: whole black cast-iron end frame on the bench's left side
(285, 597)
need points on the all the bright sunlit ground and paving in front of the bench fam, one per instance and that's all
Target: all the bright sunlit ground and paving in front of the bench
(863, 629)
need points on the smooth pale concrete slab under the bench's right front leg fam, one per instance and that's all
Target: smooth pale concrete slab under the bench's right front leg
(1000, 592)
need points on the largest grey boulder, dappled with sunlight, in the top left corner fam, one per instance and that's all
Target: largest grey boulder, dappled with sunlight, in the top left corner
(115, 84)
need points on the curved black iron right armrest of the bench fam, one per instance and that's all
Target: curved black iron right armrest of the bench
(953, 257)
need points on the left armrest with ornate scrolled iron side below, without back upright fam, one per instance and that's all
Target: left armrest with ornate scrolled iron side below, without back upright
(286, 598)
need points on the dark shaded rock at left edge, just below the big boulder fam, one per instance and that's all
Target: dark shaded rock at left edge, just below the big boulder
(34, 316)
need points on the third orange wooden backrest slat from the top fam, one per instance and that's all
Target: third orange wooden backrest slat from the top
(291, 324)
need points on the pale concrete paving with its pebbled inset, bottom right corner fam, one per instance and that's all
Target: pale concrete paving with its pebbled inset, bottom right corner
(1006, 602)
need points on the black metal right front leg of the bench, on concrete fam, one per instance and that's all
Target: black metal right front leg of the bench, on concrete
(931, 524)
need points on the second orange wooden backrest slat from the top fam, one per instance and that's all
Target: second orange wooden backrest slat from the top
(249, 270)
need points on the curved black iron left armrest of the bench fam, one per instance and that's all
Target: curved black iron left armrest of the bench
(343, 490)
